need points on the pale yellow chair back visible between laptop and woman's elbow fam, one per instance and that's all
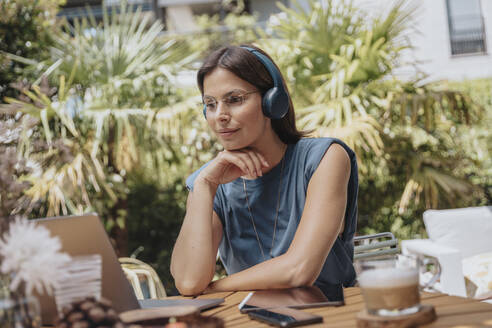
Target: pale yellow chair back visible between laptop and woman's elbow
(143, 278)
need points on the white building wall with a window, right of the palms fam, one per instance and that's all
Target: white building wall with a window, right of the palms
(452, 39)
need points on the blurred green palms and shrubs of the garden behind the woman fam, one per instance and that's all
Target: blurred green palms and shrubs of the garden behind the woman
(94, 116)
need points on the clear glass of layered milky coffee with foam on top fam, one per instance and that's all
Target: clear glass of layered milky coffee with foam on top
(390, 285)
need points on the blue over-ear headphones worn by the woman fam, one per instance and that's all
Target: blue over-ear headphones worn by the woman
(275, 102)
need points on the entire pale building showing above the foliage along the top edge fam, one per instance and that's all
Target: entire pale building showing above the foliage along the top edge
(452, 38)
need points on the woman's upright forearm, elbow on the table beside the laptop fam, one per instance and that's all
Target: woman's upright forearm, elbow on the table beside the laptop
(193, 258)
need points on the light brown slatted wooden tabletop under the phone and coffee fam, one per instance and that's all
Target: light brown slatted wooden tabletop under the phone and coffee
(451, 311)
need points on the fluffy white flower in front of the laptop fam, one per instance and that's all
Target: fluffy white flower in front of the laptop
(31, 256)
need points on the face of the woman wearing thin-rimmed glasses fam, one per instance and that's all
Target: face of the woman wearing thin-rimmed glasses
(234, 110)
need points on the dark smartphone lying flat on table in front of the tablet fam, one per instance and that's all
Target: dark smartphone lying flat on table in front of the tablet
(284, 317)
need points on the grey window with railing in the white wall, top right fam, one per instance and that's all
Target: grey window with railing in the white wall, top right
(466, 27)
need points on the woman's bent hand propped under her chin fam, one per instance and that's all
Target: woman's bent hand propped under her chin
(231, 164)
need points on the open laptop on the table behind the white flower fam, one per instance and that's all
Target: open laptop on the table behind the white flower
(85, 235)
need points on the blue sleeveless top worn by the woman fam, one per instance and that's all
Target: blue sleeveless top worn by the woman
(239, 247)
